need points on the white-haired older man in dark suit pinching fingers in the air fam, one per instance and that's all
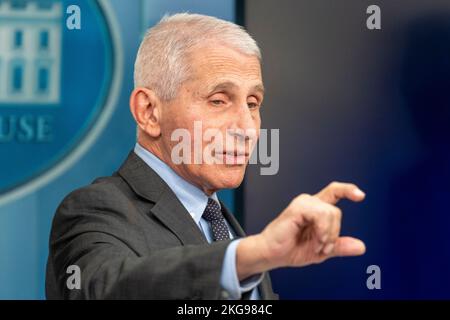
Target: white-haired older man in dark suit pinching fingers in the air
(155, 229)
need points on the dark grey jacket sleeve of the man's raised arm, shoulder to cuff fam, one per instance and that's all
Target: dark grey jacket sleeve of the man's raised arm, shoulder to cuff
(95, 238)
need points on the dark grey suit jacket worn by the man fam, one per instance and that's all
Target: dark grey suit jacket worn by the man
(133, 239)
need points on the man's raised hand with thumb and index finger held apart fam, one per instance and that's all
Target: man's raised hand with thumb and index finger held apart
(306, 232)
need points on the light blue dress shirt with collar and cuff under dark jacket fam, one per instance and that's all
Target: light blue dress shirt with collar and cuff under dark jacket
(195, 200)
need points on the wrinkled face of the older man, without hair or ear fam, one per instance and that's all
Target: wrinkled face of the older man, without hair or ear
(223, 95)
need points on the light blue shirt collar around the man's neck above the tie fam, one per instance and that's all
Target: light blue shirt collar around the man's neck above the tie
(192, 198)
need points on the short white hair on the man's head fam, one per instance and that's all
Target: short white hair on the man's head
(162, 60)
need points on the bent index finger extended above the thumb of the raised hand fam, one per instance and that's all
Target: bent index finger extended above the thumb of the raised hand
(336, 191)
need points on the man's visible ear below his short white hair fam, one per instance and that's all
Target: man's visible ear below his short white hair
(146, 109)
